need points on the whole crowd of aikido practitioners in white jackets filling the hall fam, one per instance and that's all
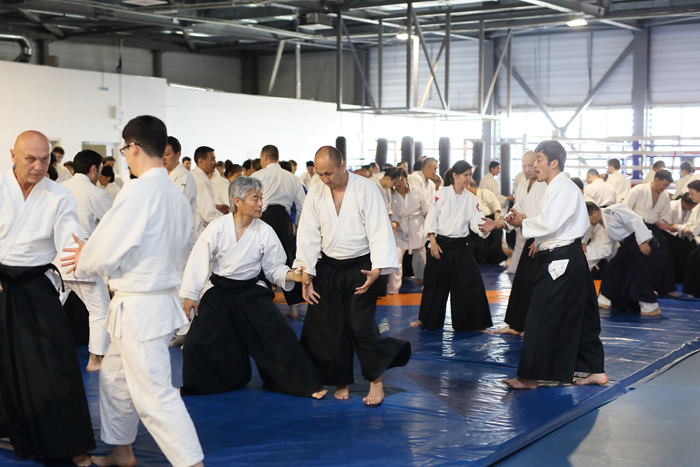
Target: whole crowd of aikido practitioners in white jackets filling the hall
(188, 251)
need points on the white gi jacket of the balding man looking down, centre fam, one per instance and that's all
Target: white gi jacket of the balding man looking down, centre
(362, 227)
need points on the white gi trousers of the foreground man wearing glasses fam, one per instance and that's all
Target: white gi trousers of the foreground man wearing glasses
(136, 382)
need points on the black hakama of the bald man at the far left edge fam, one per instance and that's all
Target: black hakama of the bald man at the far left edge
(42, 397)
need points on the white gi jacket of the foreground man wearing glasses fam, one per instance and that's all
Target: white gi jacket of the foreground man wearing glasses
(138, 245)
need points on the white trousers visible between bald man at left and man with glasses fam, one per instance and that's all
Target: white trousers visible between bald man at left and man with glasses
(95, 296)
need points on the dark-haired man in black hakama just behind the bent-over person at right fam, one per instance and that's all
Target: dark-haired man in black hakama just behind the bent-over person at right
(652, 202)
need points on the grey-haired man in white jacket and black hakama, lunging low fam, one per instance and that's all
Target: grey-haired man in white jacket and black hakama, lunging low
(236, 319)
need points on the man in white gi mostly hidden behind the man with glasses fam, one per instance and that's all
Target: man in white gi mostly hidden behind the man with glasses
(185, 182)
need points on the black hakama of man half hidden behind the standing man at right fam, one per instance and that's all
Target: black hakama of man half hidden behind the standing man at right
(521, 290)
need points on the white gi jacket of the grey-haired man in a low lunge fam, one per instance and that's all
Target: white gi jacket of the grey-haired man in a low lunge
(238, 260)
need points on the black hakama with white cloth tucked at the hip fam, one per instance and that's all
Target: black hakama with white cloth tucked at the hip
(563, 325)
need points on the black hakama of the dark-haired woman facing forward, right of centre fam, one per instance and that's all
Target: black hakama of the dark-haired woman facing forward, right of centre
(455, 274)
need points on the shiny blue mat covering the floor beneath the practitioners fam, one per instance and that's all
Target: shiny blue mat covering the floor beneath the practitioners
(446, 407)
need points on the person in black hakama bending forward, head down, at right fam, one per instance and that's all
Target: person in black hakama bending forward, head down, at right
(628, 281)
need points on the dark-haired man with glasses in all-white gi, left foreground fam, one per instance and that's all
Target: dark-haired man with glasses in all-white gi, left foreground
(147, 231)
